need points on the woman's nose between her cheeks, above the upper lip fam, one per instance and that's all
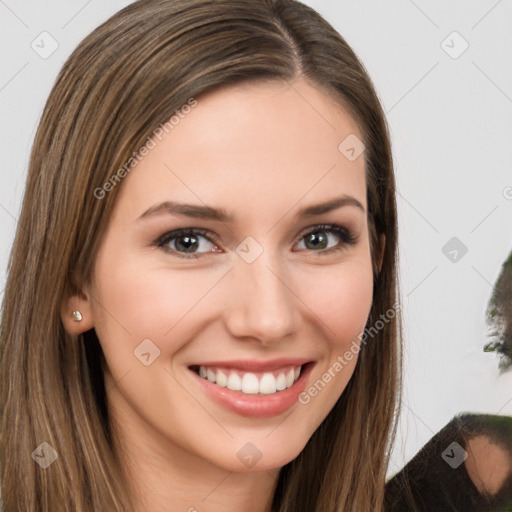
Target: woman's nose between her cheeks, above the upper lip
(263, 304)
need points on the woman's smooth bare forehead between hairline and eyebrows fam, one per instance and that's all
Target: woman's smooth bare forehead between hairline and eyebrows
(255, 146)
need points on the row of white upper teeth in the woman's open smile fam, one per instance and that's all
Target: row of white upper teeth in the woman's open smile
(248, 382)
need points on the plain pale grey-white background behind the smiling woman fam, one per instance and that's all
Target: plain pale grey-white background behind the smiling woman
(451, 125)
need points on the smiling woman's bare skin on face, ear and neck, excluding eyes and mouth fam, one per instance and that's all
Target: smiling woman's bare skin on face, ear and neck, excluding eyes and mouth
(261, 152)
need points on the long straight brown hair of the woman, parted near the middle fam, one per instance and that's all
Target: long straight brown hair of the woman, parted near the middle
(126, 78)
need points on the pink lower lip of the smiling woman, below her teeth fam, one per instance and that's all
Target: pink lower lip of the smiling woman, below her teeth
(257, 406)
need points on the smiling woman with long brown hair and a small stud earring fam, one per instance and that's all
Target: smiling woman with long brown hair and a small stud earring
(258, 373)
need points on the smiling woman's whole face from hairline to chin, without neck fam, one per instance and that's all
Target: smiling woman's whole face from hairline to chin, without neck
(248, 297)
